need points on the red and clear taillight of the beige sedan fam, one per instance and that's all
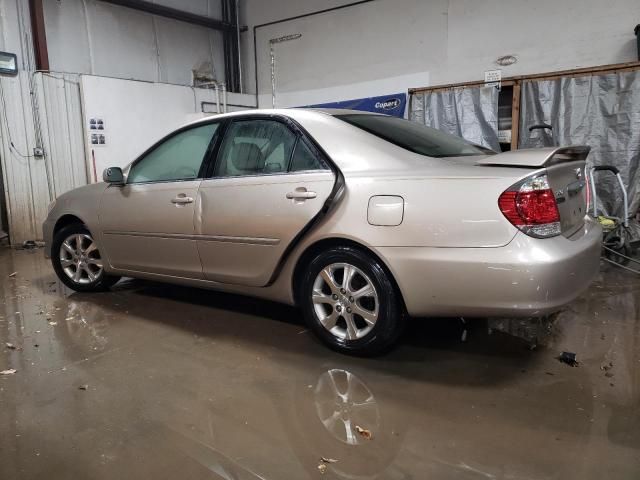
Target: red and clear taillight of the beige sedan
(531, 207)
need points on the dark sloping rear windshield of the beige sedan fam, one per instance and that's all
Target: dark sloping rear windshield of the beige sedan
(414, 137)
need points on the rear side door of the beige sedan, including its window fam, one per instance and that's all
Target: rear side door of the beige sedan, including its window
(269, 182)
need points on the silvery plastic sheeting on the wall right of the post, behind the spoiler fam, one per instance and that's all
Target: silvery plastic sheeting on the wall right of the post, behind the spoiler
(601, 111)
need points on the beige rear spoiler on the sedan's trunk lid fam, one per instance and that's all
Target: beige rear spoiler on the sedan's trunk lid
(537, 157)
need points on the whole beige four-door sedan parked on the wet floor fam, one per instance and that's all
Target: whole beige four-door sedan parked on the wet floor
(359, 219)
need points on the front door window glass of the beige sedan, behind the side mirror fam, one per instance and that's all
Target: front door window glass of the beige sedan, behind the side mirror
(178, 158)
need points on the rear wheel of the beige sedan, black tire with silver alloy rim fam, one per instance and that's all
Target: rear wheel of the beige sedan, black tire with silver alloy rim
(350, 303)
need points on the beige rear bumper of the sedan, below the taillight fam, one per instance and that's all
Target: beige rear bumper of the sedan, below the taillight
(527, 277)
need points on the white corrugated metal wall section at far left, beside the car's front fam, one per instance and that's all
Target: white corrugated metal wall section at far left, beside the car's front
(51, 118)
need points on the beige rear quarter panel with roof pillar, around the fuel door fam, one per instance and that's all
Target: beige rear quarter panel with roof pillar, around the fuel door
(448, 202)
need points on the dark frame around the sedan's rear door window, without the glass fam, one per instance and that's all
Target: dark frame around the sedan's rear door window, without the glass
(293, 127)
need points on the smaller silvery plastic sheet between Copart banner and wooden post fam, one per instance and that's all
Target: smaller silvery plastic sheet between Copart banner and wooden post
(470, 113)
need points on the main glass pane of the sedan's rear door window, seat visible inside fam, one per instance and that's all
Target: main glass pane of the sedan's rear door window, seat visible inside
(255, 147)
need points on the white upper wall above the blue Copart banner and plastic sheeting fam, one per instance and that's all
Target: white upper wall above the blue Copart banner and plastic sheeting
(387, 46)
